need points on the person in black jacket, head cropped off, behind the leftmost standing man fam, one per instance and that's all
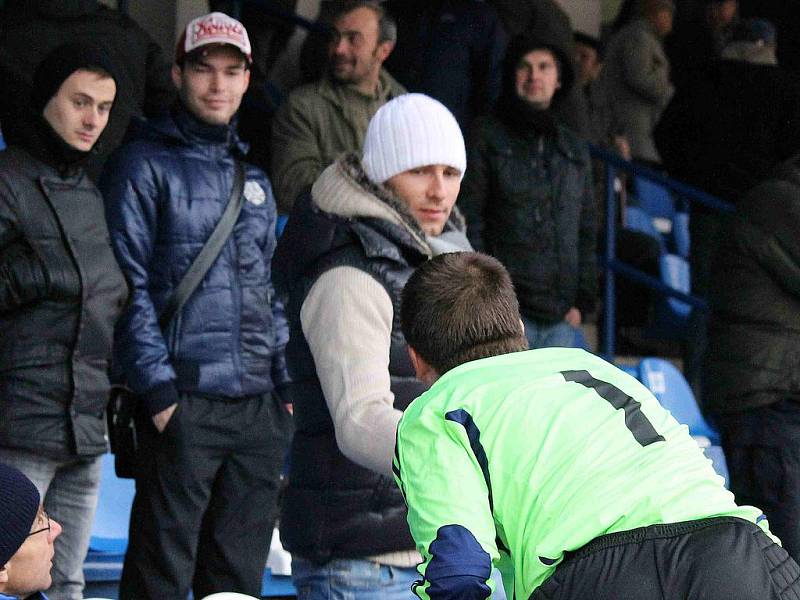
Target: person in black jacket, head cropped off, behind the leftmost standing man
(29, 29)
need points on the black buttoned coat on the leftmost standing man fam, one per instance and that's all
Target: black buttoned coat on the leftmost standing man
(60, 294)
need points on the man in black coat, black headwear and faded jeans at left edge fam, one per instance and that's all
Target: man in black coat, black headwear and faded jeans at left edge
(60, 293)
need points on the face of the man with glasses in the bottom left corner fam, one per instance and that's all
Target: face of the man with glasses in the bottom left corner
(29, 569)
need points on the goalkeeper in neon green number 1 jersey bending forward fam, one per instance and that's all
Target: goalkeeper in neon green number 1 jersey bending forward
(556, 467)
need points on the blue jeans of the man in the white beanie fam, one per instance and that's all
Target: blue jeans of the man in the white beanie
(352, 579)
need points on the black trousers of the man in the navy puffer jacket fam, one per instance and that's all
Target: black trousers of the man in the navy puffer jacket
(205, 498)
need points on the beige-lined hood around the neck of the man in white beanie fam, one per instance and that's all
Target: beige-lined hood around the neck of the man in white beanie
(344, 197)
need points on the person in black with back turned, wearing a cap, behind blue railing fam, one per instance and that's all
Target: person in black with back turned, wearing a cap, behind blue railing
(724, 134)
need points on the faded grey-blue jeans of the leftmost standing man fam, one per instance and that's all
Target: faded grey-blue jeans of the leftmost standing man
(68, 487)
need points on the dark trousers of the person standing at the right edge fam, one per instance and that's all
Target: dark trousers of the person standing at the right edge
(762, 449)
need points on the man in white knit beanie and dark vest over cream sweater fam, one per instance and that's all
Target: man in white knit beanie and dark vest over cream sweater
(344, 258)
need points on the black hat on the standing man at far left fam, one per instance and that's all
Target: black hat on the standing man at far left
(62, 62)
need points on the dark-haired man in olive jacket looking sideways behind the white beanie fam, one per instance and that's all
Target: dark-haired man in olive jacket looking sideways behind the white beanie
(322, 120)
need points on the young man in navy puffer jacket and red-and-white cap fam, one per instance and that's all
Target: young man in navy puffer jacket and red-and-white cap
(212, 431)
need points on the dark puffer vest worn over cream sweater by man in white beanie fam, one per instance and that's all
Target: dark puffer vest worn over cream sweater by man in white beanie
(333, 507)
